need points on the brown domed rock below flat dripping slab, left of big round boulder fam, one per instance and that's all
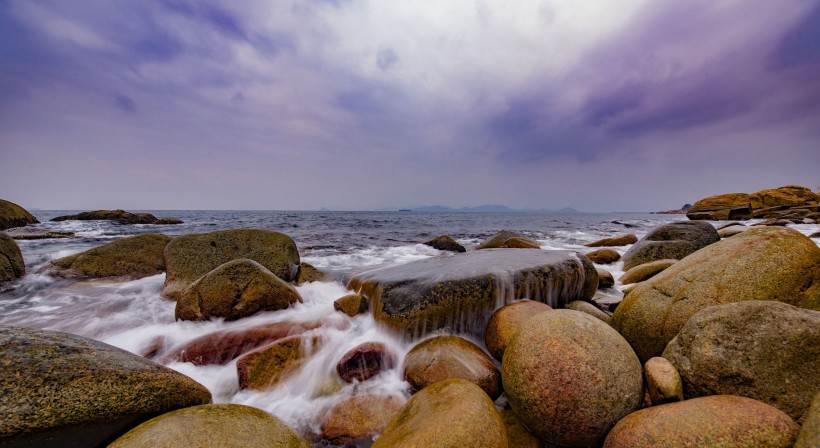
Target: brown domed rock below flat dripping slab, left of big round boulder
(451, 357)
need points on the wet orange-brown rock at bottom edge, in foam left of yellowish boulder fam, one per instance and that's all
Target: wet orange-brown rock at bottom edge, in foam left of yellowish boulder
(359, 418)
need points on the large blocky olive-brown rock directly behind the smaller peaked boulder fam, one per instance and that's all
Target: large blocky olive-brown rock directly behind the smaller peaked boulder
(191, 256)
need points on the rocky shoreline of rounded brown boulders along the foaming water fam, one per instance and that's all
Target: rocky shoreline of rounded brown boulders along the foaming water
(716, 344)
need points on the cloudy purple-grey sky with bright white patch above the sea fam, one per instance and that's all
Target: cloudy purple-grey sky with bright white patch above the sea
(360, 104)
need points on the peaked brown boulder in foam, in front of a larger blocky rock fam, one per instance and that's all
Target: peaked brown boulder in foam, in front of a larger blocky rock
(234, 290)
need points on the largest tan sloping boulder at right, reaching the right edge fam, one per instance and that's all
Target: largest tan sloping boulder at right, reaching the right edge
(768, 263)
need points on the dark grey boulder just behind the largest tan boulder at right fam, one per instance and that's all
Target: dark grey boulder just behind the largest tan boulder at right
(670, 241)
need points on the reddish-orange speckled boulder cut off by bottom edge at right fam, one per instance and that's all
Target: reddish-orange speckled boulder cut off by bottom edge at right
(718, 421)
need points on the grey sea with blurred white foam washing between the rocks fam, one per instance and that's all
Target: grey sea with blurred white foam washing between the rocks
(133, 316)
